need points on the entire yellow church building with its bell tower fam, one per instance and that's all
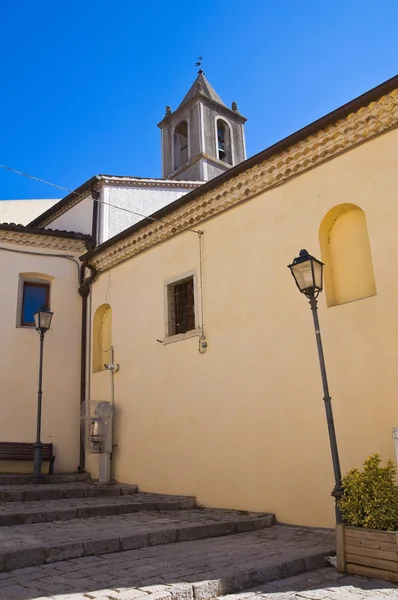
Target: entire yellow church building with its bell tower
(172, 301)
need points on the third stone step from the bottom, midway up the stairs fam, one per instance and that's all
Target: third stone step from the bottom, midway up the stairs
(22, 513)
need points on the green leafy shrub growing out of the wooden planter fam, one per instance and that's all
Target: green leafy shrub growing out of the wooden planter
(371, 497)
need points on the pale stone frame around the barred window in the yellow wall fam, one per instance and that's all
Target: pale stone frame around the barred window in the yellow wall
(168, 285)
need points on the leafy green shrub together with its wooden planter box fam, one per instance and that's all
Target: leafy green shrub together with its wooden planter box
(367, 542)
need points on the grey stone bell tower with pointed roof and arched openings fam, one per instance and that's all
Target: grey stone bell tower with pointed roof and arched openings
(202, 138)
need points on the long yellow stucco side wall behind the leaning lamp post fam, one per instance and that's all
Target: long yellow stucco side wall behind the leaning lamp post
(243, 425)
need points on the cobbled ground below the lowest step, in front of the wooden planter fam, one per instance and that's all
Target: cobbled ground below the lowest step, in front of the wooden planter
(323, 584)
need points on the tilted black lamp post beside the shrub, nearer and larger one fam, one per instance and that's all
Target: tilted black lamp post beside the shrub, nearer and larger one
(307, 272)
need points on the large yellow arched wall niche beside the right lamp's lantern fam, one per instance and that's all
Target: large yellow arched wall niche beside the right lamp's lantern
(346, 252)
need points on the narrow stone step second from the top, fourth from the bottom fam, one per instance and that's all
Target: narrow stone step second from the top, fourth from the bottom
(54, 491)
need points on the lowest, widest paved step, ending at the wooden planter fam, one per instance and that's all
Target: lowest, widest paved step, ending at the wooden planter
(193, 570)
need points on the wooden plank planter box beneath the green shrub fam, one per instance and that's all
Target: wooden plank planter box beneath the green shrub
(367, 552)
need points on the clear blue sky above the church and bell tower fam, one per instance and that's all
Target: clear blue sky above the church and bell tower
(85, 82)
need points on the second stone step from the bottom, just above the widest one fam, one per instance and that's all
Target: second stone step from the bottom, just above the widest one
(31, 545)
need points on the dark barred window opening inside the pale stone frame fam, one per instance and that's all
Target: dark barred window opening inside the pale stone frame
(181, 306)
